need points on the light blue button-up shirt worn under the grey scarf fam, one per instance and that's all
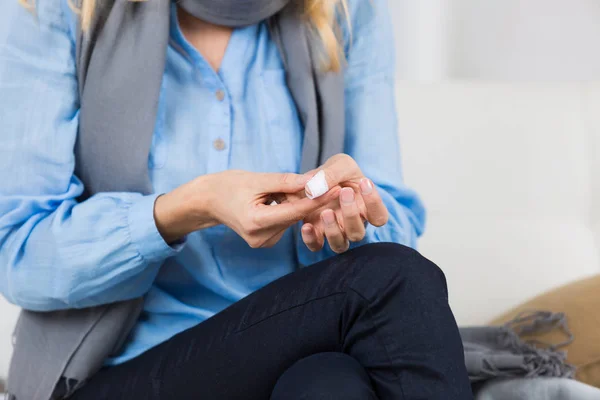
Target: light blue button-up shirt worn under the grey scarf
(56, 253)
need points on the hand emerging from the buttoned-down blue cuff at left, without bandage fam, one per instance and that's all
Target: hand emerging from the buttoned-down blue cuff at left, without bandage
(239, 200)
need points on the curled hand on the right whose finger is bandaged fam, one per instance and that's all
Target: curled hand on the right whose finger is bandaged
(342, 220)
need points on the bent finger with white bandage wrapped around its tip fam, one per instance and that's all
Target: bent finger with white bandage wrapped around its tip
(338, 169)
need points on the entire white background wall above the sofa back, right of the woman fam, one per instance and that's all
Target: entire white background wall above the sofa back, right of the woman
(528, 40)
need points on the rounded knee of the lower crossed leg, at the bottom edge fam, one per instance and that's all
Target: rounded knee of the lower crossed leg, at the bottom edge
(325, 376)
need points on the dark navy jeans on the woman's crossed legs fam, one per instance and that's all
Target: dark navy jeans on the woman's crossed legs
(373, 323)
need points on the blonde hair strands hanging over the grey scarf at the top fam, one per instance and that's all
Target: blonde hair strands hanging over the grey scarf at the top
(321, 14)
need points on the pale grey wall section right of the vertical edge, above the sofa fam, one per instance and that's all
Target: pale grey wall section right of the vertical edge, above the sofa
(525, 40)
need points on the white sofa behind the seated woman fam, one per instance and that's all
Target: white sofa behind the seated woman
(510, 174)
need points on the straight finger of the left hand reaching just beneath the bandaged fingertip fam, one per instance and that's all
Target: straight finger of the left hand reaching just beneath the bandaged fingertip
(289, 213)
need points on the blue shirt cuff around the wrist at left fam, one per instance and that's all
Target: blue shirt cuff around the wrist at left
(144, 234)
